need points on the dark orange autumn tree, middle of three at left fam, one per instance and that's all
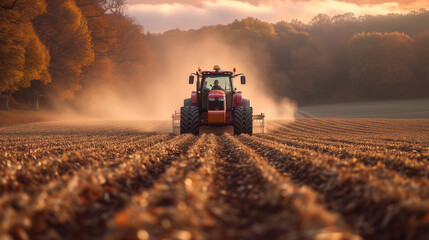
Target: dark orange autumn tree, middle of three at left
(64, 30)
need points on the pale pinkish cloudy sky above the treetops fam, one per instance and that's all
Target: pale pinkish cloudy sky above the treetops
(158, 16)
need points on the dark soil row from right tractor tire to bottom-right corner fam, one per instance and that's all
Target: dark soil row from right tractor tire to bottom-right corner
(371, 201)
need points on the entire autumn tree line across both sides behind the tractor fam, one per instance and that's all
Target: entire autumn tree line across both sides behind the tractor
(61, 49)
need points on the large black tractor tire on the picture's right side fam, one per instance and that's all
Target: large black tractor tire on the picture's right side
(243, 120)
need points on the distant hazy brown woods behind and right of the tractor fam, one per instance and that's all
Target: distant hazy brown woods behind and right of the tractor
(332, 59)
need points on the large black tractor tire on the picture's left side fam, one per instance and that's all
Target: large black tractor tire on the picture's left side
(190, 120)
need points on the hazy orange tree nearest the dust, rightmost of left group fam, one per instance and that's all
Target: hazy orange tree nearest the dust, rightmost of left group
(122, 56)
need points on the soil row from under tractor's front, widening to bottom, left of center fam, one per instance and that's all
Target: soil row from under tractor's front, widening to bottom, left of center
(176, 207)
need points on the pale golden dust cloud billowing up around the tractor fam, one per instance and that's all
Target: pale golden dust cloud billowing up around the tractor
(161, 91)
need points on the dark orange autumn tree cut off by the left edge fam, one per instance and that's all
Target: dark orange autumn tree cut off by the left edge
(24, 57)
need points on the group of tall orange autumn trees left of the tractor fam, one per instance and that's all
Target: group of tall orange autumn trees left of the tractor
(60, 48)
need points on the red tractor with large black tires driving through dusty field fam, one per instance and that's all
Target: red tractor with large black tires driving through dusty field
(216, 103)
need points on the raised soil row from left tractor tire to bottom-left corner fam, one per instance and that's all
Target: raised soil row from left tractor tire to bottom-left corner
(77, 207)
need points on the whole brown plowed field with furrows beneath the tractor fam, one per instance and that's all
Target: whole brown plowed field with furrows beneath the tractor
(307, 179)
